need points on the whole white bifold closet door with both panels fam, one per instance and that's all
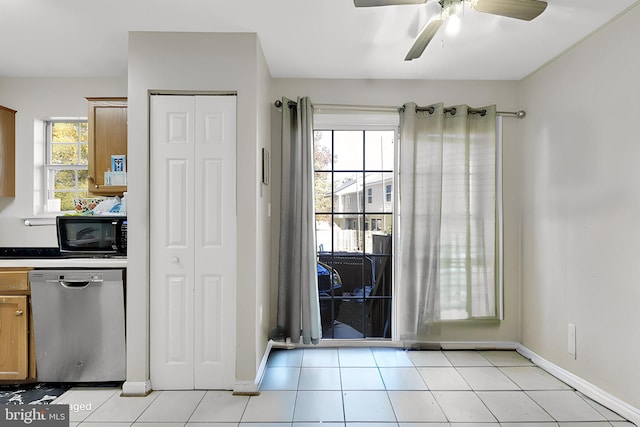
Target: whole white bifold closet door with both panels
(192, 241)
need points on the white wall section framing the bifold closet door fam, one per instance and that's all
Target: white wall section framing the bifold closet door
(200, 62)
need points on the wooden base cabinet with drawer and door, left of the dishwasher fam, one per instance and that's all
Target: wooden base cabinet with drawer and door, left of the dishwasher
(17, 358)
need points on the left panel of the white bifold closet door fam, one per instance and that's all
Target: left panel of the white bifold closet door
(172, 231)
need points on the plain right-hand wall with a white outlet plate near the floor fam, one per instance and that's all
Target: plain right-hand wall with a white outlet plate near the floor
(580, 185)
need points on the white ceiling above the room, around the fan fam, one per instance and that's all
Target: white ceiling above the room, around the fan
(300, 38)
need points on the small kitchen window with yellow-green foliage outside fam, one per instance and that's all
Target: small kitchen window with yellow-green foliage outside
(66, 161)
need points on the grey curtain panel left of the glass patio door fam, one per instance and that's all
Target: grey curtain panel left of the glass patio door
(298, 304)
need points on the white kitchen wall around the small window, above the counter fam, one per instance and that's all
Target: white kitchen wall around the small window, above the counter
(38, 99)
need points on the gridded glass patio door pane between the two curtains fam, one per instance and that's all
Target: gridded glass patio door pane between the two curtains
(354, 234)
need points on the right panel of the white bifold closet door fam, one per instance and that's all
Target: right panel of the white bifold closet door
(215, 242)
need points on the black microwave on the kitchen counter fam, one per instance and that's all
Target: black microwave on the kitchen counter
(92, 235)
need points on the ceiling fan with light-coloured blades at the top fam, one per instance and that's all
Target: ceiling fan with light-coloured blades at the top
(520, 9)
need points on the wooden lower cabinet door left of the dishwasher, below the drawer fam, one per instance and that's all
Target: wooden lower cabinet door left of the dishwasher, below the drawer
(13, 338)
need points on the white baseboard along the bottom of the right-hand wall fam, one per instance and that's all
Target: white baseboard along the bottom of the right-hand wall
(616, 405)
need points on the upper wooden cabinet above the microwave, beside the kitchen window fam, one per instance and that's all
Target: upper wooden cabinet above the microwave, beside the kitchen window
(107, 137)
